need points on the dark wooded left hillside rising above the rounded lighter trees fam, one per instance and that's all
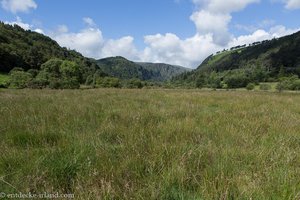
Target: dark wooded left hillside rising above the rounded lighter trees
(29, 50)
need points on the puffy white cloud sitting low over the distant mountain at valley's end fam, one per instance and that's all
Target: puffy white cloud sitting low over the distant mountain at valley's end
(170, 48)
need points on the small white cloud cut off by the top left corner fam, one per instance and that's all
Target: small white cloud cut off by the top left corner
(16, 6)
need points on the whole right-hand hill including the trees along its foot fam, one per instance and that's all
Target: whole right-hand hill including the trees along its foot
(261, 61)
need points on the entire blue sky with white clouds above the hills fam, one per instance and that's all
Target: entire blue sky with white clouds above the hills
(179, 32)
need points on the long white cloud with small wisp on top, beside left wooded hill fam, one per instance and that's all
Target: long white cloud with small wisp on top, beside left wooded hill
(91, 43)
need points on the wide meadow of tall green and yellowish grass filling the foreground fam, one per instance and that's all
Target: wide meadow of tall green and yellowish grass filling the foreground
(151, 144)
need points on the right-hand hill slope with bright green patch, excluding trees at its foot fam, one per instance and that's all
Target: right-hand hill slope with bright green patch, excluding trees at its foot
(272, 54)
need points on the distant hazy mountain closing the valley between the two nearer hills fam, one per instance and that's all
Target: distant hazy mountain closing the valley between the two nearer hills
(124, 69)
